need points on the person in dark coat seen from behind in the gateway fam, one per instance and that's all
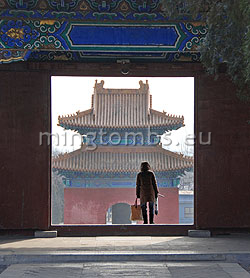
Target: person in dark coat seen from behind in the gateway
(147, 191)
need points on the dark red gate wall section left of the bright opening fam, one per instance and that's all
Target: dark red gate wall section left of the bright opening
(24, 165)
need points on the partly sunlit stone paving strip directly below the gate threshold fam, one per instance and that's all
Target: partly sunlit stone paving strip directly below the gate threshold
(181, 244)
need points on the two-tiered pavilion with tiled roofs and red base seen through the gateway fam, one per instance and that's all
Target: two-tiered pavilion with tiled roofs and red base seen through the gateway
(120, 131)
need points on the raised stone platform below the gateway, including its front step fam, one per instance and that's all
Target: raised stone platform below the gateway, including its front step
(219, 249)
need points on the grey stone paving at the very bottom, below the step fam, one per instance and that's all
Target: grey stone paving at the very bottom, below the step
(127, 269)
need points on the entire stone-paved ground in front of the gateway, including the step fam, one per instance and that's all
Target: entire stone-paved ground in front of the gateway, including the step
(184, 257)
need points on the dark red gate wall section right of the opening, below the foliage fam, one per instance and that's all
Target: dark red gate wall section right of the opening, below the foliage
(222, 168)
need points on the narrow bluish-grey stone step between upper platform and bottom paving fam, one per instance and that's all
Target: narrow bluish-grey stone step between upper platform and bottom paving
(59, 257)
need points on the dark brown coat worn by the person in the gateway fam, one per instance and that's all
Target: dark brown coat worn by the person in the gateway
(146, 187)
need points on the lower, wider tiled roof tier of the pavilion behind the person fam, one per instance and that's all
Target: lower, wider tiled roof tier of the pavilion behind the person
(121, 159)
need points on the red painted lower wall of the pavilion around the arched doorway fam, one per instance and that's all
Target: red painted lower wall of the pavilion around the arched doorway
(89, 205)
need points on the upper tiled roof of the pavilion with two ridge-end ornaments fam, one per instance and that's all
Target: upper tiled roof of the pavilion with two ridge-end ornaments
(123, 108)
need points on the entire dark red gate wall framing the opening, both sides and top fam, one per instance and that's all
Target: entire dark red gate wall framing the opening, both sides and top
(222, 169)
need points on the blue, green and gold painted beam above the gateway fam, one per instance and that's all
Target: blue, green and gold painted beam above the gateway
(78, 30)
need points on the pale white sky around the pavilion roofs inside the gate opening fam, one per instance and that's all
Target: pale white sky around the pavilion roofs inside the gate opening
(173, 95)
